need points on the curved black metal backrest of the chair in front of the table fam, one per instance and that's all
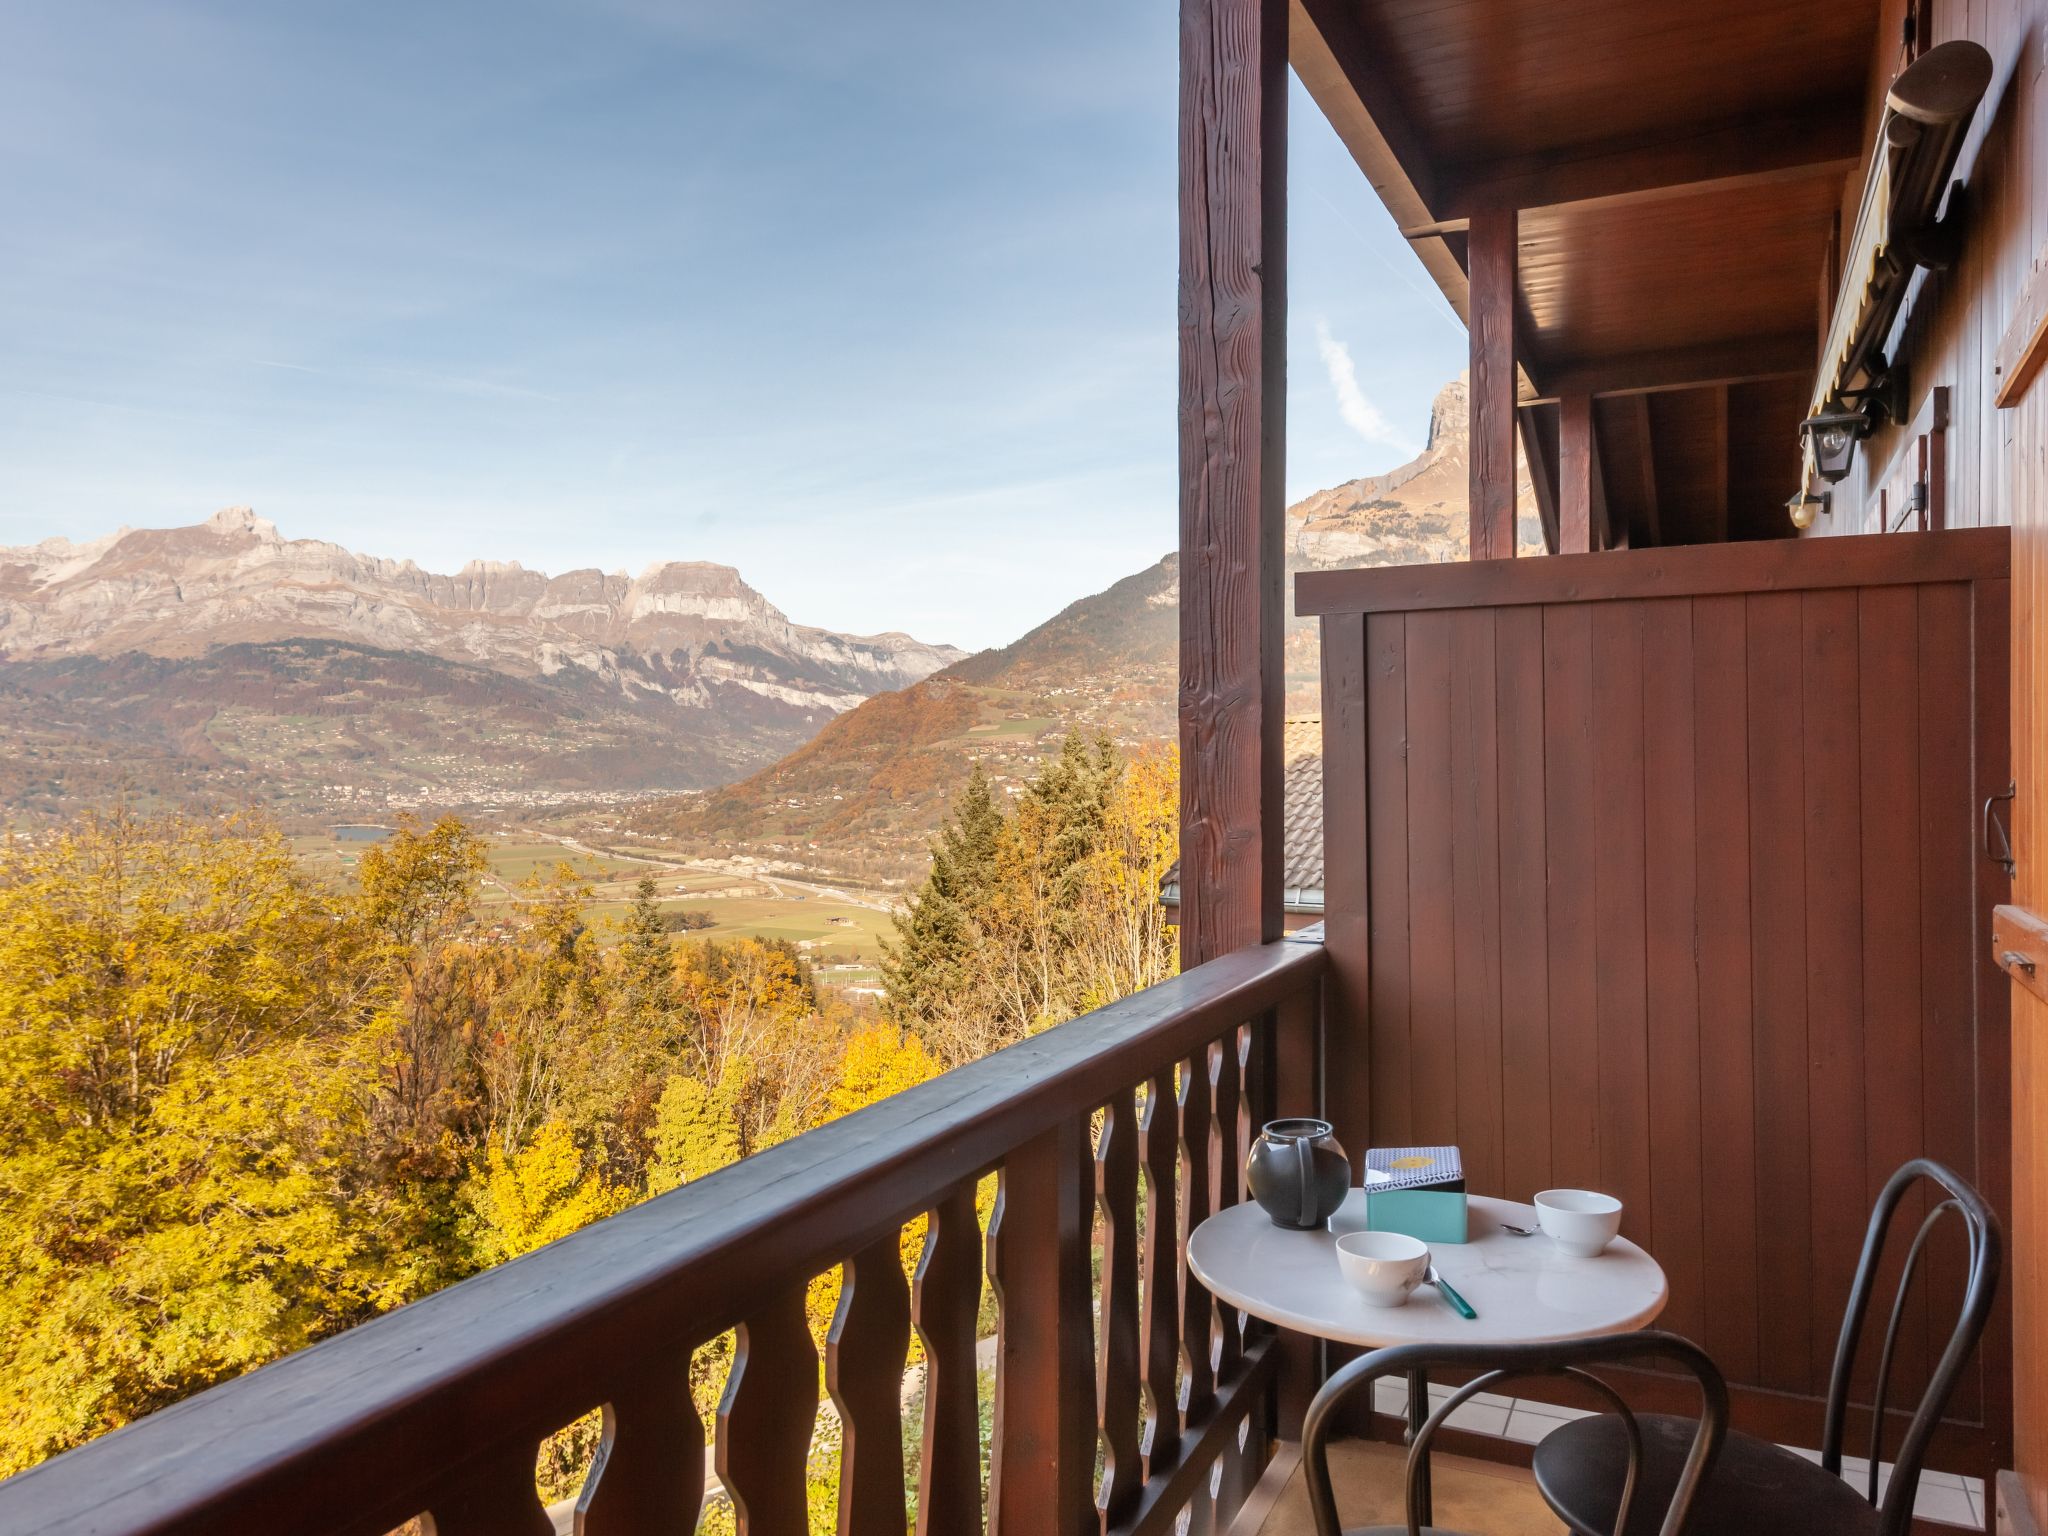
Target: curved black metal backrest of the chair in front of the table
(1500, 1363)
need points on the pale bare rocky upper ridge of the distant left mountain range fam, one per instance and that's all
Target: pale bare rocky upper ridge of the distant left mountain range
(689, 632)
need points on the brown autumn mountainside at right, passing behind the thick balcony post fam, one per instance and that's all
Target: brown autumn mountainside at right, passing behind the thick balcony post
(871, 787)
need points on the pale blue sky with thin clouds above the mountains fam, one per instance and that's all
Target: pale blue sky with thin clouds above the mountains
(873, 302)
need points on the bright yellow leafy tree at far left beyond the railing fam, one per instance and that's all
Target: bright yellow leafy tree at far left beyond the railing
(185, 1101)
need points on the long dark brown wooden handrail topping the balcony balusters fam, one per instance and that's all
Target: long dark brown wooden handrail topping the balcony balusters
(374, 1408)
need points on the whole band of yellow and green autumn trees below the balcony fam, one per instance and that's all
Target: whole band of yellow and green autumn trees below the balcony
(243, 1109)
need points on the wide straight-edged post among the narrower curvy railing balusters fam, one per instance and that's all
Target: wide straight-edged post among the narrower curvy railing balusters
(1043, 1463)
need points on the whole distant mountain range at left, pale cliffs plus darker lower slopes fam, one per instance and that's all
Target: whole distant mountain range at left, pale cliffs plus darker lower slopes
(226, 656)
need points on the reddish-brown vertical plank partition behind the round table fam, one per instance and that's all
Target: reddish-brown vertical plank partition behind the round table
(1666, 880)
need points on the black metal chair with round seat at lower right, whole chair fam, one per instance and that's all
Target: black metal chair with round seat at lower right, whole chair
(1760, 1490)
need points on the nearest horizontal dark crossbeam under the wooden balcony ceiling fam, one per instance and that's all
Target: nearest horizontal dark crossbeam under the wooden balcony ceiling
(1811, 142)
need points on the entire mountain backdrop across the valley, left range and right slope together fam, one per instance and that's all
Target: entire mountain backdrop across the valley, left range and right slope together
(679, 710)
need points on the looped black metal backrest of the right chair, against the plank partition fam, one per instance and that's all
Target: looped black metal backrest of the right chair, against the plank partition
(1959, 1203)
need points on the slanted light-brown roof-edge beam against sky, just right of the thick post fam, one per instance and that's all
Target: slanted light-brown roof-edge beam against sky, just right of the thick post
(1340, 69)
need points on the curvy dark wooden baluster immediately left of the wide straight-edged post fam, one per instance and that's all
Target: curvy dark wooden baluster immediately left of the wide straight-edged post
(947, 1302)
